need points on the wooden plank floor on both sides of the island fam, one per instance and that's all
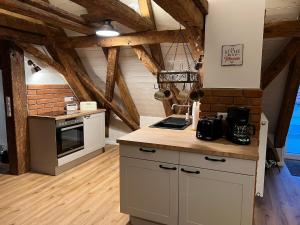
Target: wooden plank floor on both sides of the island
(89, 194)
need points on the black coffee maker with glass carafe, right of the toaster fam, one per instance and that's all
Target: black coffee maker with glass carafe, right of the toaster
(239, 129)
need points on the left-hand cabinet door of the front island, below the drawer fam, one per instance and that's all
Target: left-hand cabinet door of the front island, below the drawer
(149, 190)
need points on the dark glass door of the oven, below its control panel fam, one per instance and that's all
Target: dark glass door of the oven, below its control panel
(69, 139)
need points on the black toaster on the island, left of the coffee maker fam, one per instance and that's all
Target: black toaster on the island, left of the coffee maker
(210, 128)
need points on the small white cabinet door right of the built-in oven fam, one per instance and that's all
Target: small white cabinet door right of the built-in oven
(94, 132)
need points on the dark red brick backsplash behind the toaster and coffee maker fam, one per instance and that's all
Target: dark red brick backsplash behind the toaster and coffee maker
(218, 100)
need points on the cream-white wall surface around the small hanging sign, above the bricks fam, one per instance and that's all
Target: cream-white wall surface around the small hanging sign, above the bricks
(232, 22)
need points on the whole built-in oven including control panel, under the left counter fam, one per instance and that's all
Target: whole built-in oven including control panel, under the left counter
(69, 136)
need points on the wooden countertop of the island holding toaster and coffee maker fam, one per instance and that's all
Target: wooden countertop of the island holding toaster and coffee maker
(186, 141)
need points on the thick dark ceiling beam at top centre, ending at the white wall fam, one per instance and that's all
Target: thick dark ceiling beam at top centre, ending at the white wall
(185, 12)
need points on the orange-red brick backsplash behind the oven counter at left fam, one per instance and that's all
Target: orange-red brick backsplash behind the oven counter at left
(47, 98)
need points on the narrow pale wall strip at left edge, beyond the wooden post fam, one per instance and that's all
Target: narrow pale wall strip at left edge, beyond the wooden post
(3, 137)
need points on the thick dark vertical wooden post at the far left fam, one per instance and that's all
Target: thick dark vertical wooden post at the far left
(12, 66)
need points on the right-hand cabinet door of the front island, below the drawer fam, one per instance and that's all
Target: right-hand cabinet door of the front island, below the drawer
(208, 197)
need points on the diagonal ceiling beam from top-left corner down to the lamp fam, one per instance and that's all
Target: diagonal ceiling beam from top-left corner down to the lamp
(45, 16)
